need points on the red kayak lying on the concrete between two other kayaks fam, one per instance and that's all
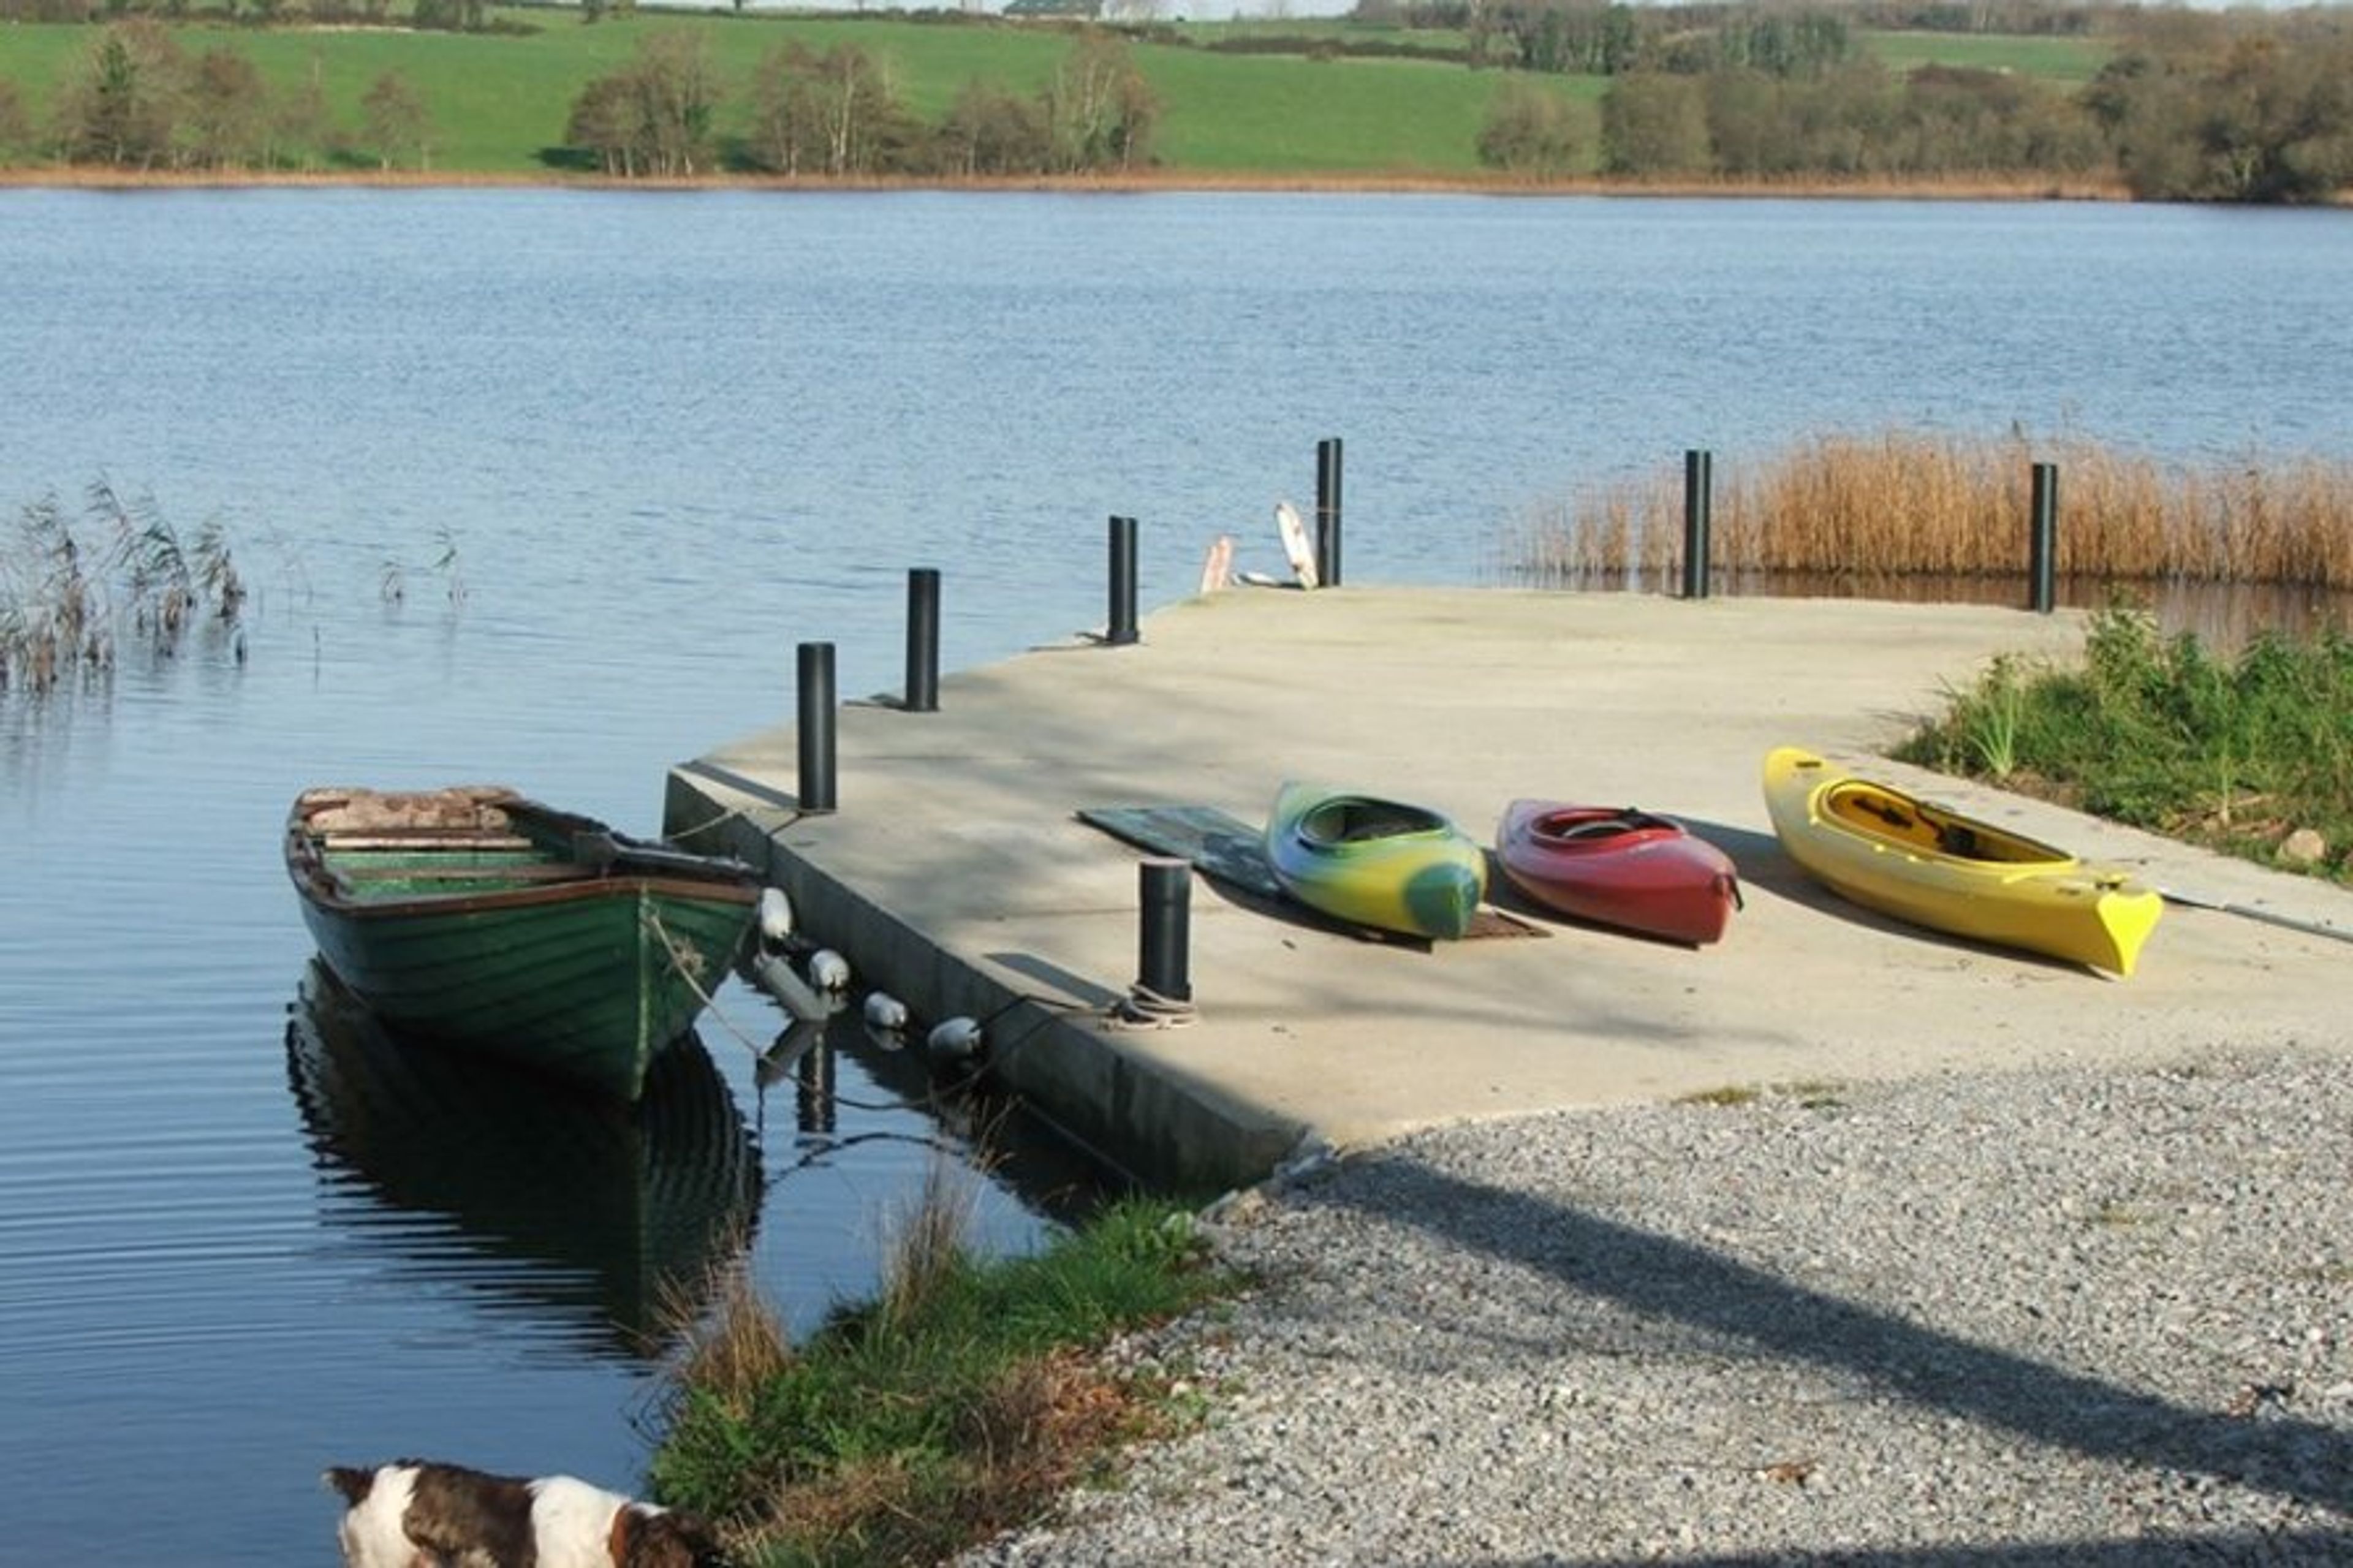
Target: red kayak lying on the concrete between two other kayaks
(1618, 868)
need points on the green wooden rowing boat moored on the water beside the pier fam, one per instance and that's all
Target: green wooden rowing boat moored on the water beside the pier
(484, 919)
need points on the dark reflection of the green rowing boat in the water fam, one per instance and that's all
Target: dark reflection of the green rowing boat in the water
(538, 1195)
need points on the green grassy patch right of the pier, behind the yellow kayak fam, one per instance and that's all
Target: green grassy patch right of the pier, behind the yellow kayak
(2251, 755)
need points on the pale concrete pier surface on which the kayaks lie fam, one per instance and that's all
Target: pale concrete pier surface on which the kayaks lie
(959, 877)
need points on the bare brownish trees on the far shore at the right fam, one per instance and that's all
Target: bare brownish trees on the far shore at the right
(2232, 107)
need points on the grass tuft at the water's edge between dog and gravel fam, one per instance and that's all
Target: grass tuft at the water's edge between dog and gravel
(956, 1404)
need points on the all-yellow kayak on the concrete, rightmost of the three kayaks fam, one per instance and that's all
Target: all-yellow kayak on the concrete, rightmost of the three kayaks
(1935, 868)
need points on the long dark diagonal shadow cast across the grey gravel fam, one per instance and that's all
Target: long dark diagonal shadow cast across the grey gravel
(1698, 1289)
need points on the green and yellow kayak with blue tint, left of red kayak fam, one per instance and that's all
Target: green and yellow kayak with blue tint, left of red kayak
(1375, 863)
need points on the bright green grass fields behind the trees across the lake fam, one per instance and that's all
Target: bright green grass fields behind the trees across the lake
(500, 102)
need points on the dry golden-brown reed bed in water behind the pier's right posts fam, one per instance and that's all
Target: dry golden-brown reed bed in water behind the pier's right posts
(1872, 510)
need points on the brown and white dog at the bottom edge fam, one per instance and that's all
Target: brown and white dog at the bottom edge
(425, 1515)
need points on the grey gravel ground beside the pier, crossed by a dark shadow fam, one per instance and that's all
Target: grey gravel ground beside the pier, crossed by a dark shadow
(2079, 1315)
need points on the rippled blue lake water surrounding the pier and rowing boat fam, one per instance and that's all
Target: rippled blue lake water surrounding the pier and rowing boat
(547, 489)
